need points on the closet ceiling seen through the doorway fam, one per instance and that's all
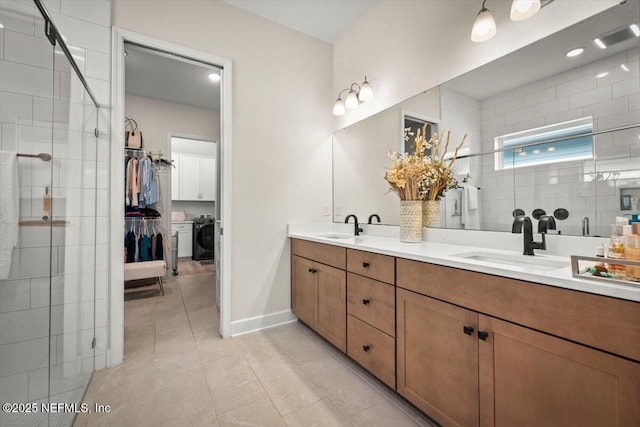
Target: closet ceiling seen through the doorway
(162, 76)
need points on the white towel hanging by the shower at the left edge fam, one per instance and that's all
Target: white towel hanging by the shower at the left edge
(9, 204)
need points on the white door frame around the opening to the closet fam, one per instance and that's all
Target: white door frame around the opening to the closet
(115, 315)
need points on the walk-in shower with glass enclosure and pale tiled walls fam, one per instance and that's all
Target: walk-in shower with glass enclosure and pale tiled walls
(49, 319)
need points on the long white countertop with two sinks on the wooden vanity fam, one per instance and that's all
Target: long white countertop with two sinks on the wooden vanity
(457, 255)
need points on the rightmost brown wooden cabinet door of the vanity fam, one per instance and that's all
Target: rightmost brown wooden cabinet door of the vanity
(532, 379)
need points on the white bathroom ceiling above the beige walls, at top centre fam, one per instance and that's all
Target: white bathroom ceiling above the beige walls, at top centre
(323, 19)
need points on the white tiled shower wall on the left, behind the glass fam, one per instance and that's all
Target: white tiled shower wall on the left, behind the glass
(66, 268)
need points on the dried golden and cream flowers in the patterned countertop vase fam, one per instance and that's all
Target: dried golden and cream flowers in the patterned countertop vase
(419, 177)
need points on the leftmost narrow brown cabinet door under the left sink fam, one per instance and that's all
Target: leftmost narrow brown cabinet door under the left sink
(304, 285)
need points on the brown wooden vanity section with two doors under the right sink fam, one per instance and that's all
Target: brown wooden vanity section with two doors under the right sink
(466, 367)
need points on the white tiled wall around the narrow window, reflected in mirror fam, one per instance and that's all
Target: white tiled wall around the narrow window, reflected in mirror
(612, 100)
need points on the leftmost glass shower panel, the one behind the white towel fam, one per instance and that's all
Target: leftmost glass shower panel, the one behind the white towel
(26, 93)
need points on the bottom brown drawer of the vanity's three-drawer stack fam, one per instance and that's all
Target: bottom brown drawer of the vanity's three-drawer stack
(372, 349)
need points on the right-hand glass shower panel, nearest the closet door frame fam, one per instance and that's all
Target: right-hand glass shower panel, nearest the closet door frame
(74, 184)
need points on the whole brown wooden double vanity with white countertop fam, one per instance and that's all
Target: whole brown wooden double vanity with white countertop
(472, 335)
